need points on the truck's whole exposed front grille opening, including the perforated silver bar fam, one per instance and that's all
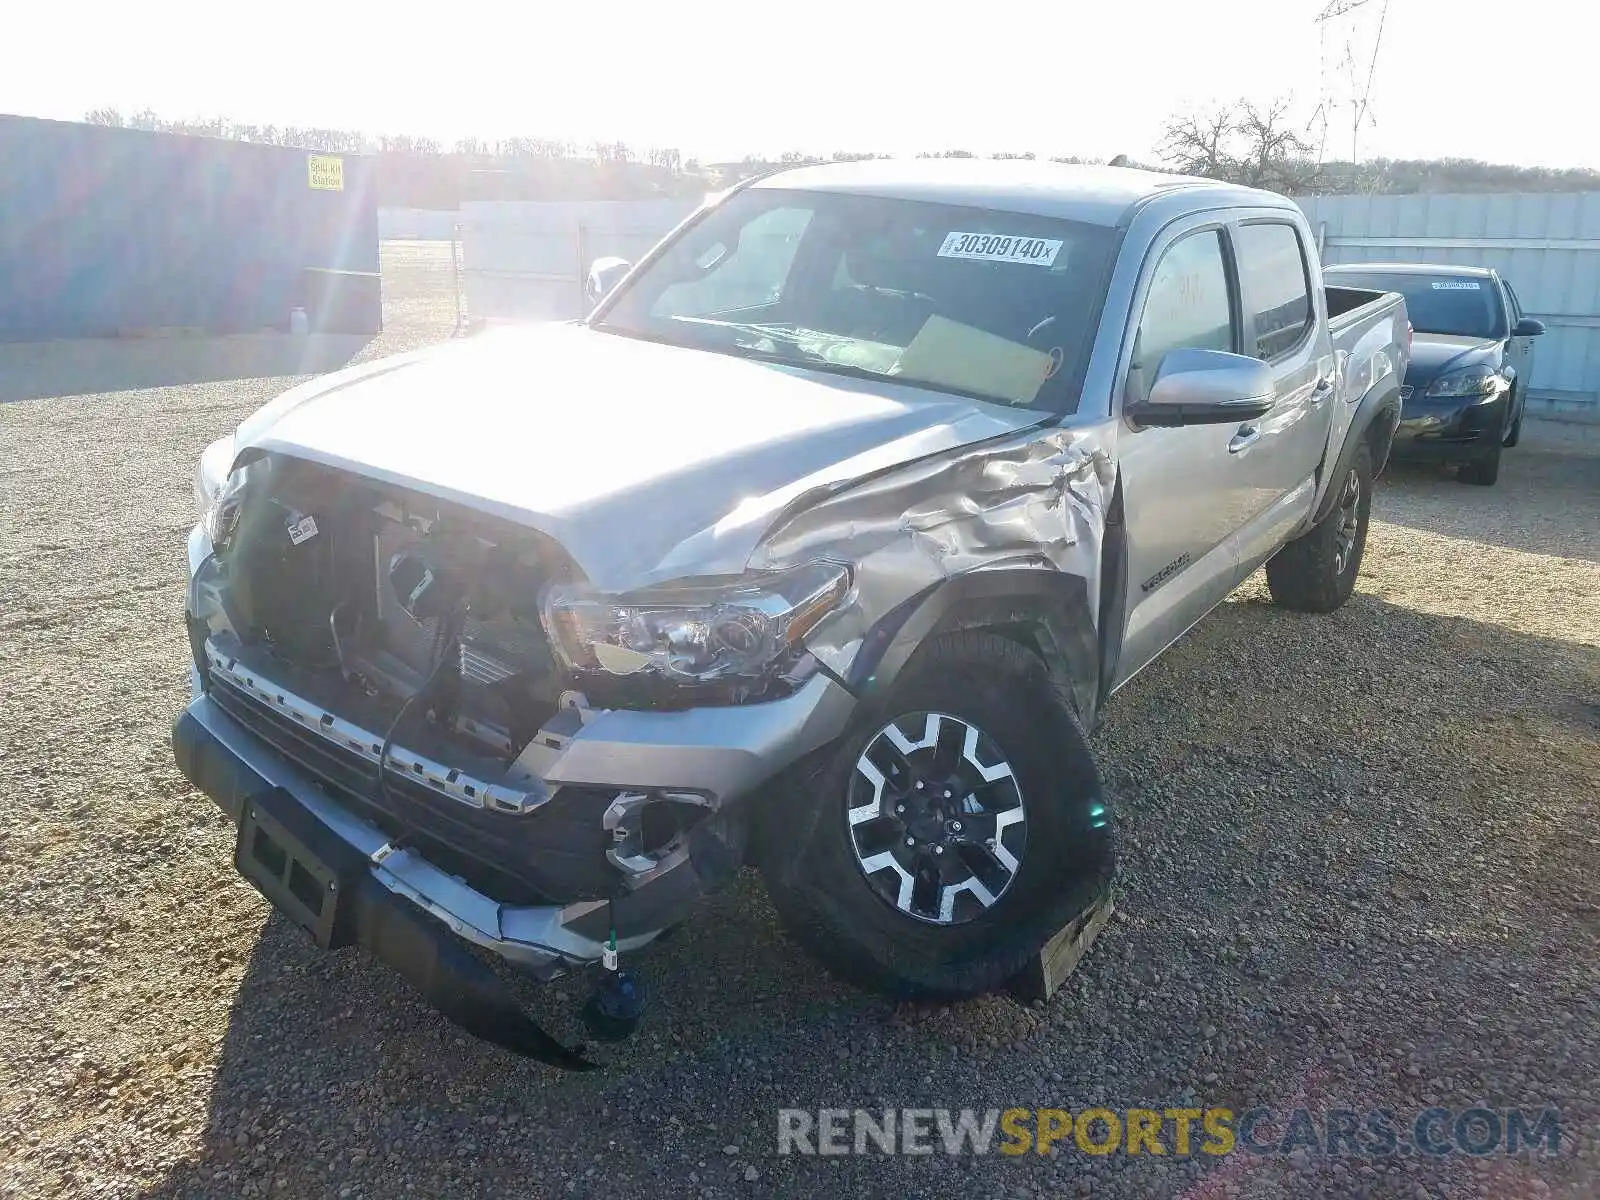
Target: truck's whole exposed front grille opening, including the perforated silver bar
(324, 638)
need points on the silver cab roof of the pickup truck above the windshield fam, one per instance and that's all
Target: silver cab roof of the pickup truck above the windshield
(1103, 196)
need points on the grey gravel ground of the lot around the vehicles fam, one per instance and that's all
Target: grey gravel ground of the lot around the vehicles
(1359, 873)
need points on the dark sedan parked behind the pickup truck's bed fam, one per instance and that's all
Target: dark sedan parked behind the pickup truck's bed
(1471, 362)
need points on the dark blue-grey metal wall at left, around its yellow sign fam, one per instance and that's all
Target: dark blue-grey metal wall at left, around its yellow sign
(113, 231)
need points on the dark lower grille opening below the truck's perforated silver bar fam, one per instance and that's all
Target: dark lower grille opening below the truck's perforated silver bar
(553, 855)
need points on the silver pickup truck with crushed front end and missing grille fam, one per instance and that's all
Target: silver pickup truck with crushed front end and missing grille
(817, 546)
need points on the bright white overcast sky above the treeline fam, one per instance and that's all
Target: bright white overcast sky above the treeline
(1503, 82)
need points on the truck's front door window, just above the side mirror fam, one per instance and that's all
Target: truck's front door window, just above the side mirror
(1188, 306)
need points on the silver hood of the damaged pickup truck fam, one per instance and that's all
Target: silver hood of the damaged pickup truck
(646, 462)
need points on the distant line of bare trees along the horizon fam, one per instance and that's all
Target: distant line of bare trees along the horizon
(426, 174)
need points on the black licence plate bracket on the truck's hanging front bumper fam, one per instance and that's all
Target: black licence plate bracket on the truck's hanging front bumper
(276, 855)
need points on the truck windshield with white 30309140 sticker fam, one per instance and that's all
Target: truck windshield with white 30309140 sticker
(998, 306)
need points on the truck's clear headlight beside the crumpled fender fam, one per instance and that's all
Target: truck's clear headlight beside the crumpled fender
(695, 631)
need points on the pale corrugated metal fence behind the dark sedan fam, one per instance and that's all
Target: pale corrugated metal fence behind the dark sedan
(1546, 246)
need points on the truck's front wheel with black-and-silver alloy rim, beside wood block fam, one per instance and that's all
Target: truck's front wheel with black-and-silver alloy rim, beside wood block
(942, 842)
